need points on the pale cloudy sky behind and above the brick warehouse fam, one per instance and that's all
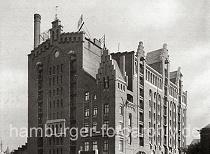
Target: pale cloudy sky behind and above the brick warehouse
(183, 24)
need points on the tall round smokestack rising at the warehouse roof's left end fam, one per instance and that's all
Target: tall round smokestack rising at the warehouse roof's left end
(37, 21)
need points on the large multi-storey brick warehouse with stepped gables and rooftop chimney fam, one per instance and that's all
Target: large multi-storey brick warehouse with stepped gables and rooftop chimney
(74, 82)
